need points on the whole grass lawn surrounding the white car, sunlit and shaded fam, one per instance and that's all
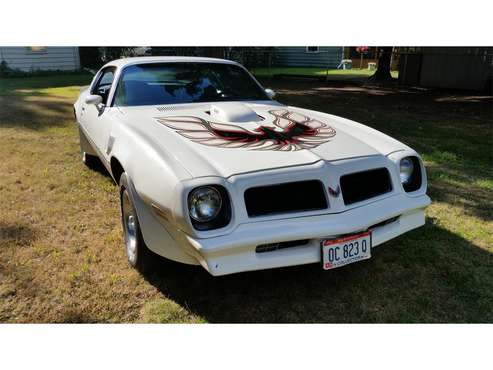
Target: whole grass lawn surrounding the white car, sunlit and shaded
(62, 257)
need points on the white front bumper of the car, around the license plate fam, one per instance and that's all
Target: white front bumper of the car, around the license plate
(235, 252)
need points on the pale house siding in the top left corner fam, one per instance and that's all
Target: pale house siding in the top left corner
(52, 58)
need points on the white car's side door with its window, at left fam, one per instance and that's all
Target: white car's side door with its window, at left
(97, 118)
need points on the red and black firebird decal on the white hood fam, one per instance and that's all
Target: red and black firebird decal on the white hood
(290, 131)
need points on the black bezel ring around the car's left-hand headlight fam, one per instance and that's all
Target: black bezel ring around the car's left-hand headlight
(223, 216)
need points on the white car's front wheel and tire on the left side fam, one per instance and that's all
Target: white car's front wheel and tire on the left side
(138, 255)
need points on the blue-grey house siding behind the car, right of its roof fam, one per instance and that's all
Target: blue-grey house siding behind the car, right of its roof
(296, 56)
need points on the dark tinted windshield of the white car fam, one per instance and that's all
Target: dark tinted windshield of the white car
(175, 83)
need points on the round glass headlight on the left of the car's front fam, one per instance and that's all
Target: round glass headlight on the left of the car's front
(204, 203)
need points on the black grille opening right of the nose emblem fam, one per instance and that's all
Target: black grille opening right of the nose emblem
(360, 186)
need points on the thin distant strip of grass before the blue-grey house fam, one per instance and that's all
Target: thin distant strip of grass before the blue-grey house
(305, 71)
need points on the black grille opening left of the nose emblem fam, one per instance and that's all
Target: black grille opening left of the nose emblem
(296, 196)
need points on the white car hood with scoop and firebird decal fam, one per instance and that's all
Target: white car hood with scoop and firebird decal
(196, 135)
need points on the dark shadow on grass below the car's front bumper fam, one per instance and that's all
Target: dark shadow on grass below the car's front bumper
(428, 275)
